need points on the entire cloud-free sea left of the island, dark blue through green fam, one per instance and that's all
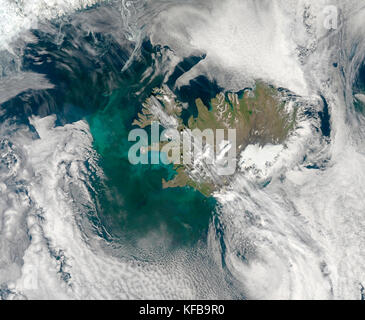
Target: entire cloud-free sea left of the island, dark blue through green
(90, 85)
